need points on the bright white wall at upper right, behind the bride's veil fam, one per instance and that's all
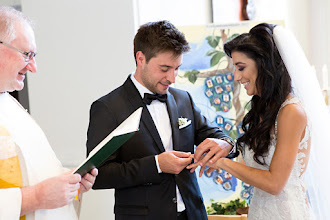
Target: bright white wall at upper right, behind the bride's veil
(310, 22)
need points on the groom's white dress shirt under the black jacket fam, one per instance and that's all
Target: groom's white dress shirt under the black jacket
(159, 114)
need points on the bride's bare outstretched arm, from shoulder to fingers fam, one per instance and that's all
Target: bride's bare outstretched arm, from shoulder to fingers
(291, 125)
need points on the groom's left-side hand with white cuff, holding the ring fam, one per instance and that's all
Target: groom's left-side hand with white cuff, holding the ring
(173, 161)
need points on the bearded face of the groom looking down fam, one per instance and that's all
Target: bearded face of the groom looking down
(160, 72)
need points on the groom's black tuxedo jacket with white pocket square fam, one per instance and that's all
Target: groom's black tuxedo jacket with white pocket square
(140, 191)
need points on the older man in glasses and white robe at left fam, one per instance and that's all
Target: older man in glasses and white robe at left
(33, 183)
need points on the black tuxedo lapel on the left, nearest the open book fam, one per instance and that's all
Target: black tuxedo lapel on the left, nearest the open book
(136, 102)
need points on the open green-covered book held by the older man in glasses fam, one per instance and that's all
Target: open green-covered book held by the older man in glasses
(111, 143)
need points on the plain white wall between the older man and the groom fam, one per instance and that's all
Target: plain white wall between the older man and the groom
(85, 50)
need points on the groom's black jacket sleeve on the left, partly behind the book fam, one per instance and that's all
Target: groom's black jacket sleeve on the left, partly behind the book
(115, 173)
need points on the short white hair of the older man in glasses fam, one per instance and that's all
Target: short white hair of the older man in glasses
(9, 17)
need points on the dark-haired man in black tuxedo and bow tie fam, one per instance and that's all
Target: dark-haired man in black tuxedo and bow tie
(148, 171)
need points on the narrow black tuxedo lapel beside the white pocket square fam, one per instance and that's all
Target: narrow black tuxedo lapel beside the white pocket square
(173, 114)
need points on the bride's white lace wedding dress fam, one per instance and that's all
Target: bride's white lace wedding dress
(291, 203)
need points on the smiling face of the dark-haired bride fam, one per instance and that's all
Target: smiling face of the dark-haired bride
(246, 72)
